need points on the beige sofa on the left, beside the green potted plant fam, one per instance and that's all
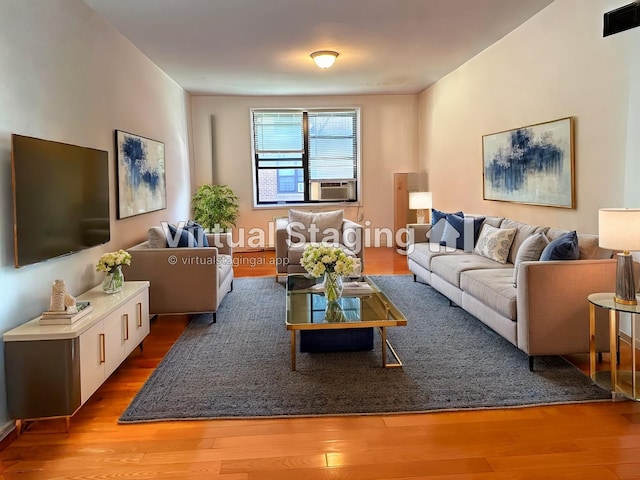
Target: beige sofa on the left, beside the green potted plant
(185, 279)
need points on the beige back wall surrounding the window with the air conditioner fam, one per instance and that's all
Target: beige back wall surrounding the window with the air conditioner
(222, 149)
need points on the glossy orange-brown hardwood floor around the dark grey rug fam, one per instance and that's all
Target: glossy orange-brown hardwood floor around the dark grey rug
(581, 441)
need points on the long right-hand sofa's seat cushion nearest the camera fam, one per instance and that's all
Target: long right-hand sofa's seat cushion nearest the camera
(494, 288)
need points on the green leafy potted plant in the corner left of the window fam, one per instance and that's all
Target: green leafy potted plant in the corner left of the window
(215, 207)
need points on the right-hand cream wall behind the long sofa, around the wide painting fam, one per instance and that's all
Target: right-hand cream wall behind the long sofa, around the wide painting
(555, 65)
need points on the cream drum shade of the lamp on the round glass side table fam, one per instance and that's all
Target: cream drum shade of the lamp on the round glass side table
(619, 228)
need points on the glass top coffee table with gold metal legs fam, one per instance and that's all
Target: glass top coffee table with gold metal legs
(363, 305)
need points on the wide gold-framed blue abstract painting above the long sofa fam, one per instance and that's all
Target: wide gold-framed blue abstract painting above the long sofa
(532, 165)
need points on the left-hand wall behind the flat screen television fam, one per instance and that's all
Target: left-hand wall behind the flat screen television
(67, 76)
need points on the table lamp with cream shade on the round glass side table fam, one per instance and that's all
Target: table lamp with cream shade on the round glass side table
(619, 229)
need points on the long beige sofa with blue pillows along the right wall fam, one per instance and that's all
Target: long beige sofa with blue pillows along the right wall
(538, 305)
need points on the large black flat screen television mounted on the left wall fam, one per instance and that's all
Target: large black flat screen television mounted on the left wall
(60, 198)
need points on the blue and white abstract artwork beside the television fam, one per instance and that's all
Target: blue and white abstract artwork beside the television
(141, 175)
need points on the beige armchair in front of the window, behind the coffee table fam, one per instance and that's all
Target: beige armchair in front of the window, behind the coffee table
(300, 228)
